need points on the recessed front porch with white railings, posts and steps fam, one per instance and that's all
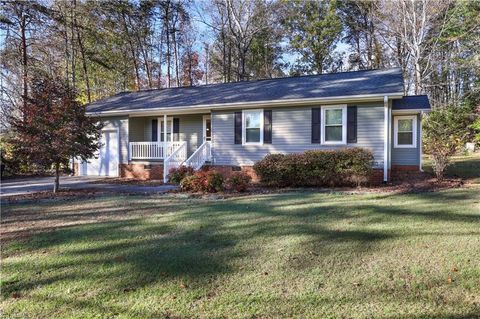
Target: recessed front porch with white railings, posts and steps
(168, 141)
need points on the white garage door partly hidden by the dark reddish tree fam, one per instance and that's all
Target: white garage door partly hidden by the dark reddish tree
(107, 162)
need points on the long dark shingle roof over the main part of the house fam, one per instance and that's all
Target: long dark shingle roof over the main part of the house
(302, 87)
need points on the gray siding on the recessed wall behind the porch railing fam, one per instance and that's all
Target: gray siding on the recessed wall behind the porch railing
(191, 129)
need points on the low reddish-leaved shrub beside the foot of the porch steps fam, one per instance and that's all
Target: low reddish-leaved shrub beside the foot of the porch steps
(209, 181)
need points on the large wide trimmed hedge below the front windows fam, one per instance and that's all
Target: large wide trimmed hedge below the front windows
(348, 166)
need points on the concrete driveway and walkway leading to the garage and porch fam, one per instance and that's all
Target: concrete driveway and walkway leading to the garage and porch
(23, 186)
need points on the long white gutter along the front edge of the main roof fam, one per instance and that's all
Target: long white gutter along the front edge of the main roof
(267, 103)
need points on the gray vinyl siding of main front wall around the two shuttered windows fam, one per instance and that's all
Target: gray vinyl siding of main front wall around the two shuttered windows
(291, 132)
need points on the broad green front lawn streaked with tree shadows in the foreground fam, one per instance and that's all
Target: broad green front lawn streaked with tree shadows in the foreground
(300, 254)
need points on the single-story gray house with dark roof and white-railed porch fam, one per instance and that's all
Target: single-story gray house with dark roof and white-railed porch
(233, 125)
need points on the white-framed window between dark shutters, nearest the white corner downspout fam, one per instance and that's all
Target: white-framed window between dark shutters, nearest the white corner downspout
(334, 124)
